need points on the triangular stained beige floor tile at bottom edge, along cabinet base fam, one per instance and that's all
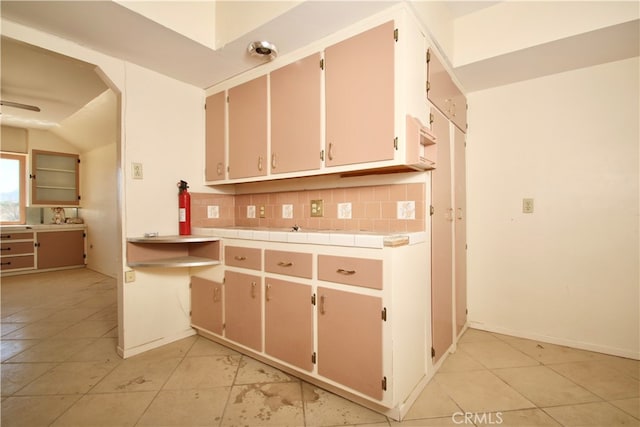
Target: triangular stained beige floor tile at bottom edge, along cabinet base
(322, 408)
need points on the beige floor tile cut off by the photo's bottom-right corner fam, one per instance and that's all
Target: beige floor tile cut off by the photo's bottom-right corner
(591, 414)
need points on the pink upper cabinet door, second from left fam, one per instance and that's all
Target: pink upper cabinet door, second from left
(248, 129)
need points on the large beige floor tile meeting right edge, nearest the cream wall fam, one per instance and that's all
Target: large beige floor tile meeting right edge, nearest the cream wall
(600, 379)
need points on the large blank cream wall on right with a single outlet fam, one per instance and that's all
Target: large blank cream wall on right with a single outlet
(568, 273)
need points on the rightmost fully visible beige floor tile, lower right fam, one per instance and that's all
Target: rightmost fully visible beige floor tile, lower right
(545, 387)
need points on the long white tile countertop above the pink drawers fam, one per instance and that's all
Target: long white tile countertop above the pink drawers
(315, 237)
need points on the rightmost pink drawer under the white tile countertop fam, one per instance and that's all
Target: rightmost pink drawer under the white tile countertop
(351, 271)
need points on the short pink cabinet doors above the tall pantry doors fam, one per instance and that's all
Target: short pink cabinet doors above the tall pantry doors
(444, 94)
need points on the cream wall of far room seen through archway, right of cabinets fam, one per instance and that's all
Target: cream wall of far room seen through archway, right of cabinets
(100, 209)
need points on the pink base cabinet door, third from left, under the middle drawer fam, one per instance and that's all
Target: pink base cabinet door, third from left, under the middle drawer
(289, 322)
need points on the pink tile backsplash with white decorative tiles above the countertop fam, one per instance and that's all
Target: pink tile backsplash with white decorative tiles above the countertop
(381, 208)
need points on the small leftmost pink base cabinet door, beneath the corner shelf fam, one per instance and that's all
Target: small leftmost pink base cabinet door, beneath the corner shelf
(206, 305)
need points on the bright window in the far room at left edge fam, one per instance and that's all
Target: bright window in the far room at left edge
(12, 188)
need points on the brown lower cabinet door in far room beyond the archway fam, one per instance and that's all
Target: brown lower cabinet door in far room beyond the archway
(60, 248)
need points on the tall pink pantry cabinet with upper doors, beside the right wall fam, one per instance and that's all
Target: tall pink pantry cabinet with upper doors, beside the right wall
(448, 220)
